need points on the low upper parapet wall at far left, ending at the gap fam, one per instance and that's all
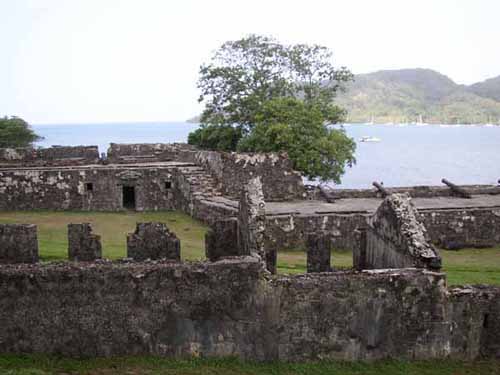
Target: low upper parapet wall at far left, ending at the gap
(53, 156)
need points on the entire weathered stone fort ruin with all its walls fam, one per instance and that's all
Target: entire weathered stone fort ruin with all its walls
(394, 303)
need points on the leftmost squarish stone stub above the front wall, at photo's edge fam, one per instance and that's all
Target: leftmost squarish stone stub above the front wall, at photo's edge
(18, 243)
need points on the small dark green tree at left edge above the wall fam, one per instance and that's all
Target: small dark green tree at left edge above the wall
(15, 132)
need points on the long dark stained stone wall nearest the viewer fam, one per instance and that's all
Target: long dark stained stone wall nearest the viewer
(233, 308)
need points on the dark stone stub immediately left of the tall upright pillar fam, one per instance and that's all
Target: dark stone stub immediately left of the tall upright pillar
(222, 239)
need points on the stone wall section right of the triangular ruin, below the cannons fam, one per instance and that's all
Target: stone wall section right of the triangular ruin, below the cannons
(455, 229)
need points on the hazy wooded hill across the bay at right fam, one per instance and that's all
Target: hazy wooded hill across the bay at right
(409, 95)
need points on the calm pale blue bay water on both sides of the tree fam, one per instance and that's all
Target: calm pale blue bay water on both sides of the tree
(405, 155)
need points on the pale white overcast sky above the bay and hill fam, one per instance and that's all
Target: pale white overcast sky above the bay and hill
(80, 61)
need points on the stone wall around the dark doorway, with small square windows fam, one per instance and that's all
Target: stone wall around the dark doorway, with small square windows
(81, 188)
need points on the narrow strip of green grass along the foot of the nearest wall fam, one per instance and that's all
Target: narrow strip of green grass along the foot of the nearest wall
(44, 365)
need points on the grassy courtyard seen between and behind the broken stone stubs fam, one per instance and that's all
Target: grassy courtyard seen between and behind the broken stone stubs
(467, 266)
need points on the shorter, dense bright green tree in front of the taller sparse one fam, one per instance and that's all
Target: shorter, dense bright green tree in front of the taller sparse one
(297, 127)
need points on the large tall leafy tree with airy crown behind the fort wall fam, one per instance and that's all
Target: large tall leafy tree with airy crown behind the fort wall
(248, 78)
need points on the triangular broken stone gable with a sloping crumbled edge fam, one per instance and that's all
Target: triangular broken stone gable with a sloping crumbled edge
(394, 238)
